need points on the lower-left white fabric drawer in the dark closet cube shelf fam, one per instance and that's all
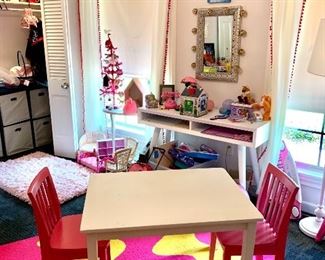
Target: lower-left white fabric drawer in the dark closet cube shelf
(18, 138)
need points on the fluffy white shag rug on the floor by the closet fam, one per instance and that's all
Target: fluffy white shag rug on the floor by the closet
(70, 179)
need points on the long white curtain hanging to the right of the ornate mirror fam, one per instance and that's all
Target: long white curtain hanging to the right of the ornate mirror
(286, 15)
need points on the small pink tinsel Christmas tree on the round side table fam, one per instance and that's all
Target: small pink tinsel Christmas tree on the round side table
(112, 74)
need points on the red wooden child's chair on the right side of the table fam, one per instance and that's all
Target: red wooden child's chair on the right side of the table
(275, 202)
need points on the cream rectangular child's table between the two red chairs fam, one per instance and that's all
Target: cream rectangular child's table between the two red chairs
(137, 204)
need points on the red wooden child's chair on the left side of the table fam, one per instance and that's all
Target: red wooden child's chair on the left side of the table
(60, 237)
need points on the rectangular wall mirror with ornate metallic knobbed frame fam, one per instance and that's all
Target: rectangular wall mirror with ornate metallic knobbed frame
(218, 43)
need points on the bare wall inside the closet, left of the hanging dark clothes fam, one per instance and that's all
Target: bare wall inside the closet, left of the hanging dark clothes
(12, 38)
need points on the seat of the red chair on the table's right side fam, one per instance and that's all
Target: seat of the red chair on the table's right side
(264, 236)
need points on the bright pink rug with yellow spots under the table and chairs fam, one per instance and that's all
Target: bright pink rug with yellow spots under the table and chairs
(173, 247)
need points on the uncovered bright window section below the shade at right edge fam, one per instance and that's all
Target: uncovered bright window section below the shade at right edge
(304, 134)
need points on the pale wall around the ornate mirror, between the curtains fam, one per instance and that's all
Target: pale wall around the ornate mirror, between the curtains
(255, 44)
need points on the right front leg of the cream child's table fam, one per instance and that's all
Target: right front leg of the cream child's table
(247, 251)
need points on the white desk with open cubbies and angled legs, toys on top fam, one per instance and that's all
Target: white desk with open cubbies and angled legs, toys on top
(172, 120)
